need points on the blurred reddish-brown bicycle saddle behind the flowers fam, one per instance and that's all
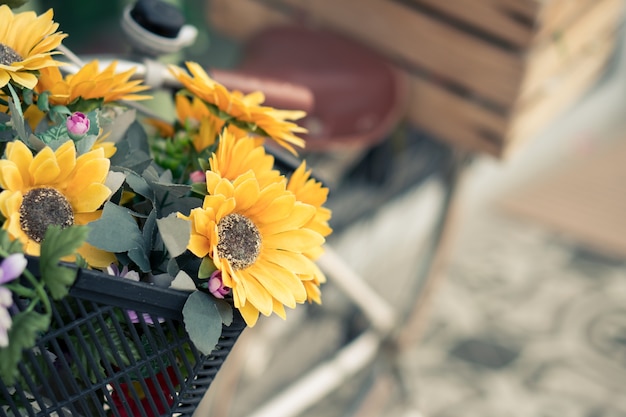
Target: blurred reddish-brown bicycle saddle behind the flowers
(358, 96)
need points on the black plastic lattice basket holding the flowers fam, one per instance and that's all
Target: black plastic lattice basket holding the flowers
(115, 348)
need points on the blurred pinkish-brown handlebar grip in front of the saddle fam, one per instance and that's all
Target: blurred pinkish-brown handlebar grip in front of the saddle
(278, 94)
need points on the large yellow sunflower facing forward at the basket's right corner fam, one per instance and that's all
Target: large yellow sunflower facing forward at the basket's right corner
(256, 237)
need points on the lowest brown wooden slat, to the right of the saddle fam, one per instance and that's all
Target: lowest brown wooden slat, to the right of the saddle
(455, 119)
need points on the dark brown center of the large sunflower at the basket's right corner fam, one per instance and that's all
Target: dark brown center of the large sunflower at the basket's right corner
(239, 241)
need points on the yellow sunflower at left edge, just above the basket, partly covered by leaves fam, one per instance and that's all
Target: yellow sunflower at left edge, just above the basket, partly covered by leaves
(52, 188)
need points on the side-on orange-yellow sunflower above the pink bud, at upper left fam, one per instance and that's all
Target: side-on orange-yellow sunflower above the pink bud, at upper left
(90, 83)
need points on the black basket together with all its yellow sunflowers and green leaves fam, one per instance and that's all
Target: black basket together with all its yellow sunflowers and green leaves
(135, 249)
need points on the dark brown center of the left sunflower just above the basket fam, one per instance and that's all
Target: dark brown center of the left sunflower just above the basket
(43, 207)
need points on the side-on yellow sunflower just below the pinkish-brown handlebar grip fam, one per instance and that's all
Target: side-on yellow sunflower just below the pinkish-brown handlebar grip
(244, 109)
